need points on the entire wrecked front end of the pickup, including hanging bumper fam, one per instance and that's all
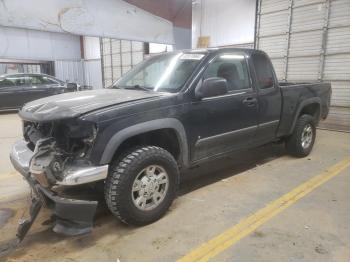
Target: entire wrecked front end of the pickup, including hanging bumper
(53, 156)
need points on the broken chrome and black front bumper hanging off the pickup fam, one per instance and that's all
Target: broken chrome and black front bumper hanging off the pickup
(72, 216)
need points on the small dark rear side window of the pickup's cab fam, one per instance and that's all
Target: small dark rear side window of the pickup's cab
(263, 71)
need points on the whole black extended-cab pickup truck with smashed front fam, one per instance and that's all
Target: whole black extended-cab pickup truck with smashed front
(171, 112)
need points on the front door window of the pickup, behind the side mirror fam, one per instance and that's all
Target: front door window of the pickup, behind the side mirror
(233, 68)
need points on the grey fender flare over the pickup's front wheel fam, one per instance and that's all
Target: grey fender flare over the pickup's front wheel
(142, 128)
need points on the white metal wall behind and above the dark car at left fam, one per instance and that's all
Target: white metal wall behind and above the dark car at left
(62, 49)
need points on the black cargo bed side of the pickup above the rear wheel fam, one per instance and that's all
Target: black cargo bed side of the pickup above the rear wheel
(294, 95)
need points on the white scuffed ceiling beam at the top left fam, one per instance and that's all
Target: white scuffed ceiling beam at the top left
(103, 18)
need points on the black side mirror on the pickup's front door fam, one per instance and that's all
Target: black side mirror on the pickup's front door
(214, 86)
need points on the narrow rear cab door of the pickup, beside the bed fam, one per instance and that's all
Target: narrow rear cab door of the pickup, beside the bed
(269, 98)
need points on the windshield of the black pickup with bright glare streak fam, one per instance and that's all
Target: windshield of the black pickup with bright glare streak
(162, 73)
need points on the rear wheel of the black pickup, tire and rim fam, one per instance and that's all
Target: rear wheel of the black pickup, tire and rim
(299, 144)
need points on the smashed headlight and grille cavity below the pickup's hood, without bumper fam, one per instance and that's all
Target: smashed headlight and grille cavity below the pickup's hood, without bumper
(58, 145)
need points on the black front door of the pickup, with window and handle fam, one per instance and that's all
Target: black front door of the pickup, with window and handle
(228, 122)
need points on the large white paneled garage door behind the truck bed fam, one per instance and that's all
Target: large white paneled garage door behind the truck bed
(309, 40)
